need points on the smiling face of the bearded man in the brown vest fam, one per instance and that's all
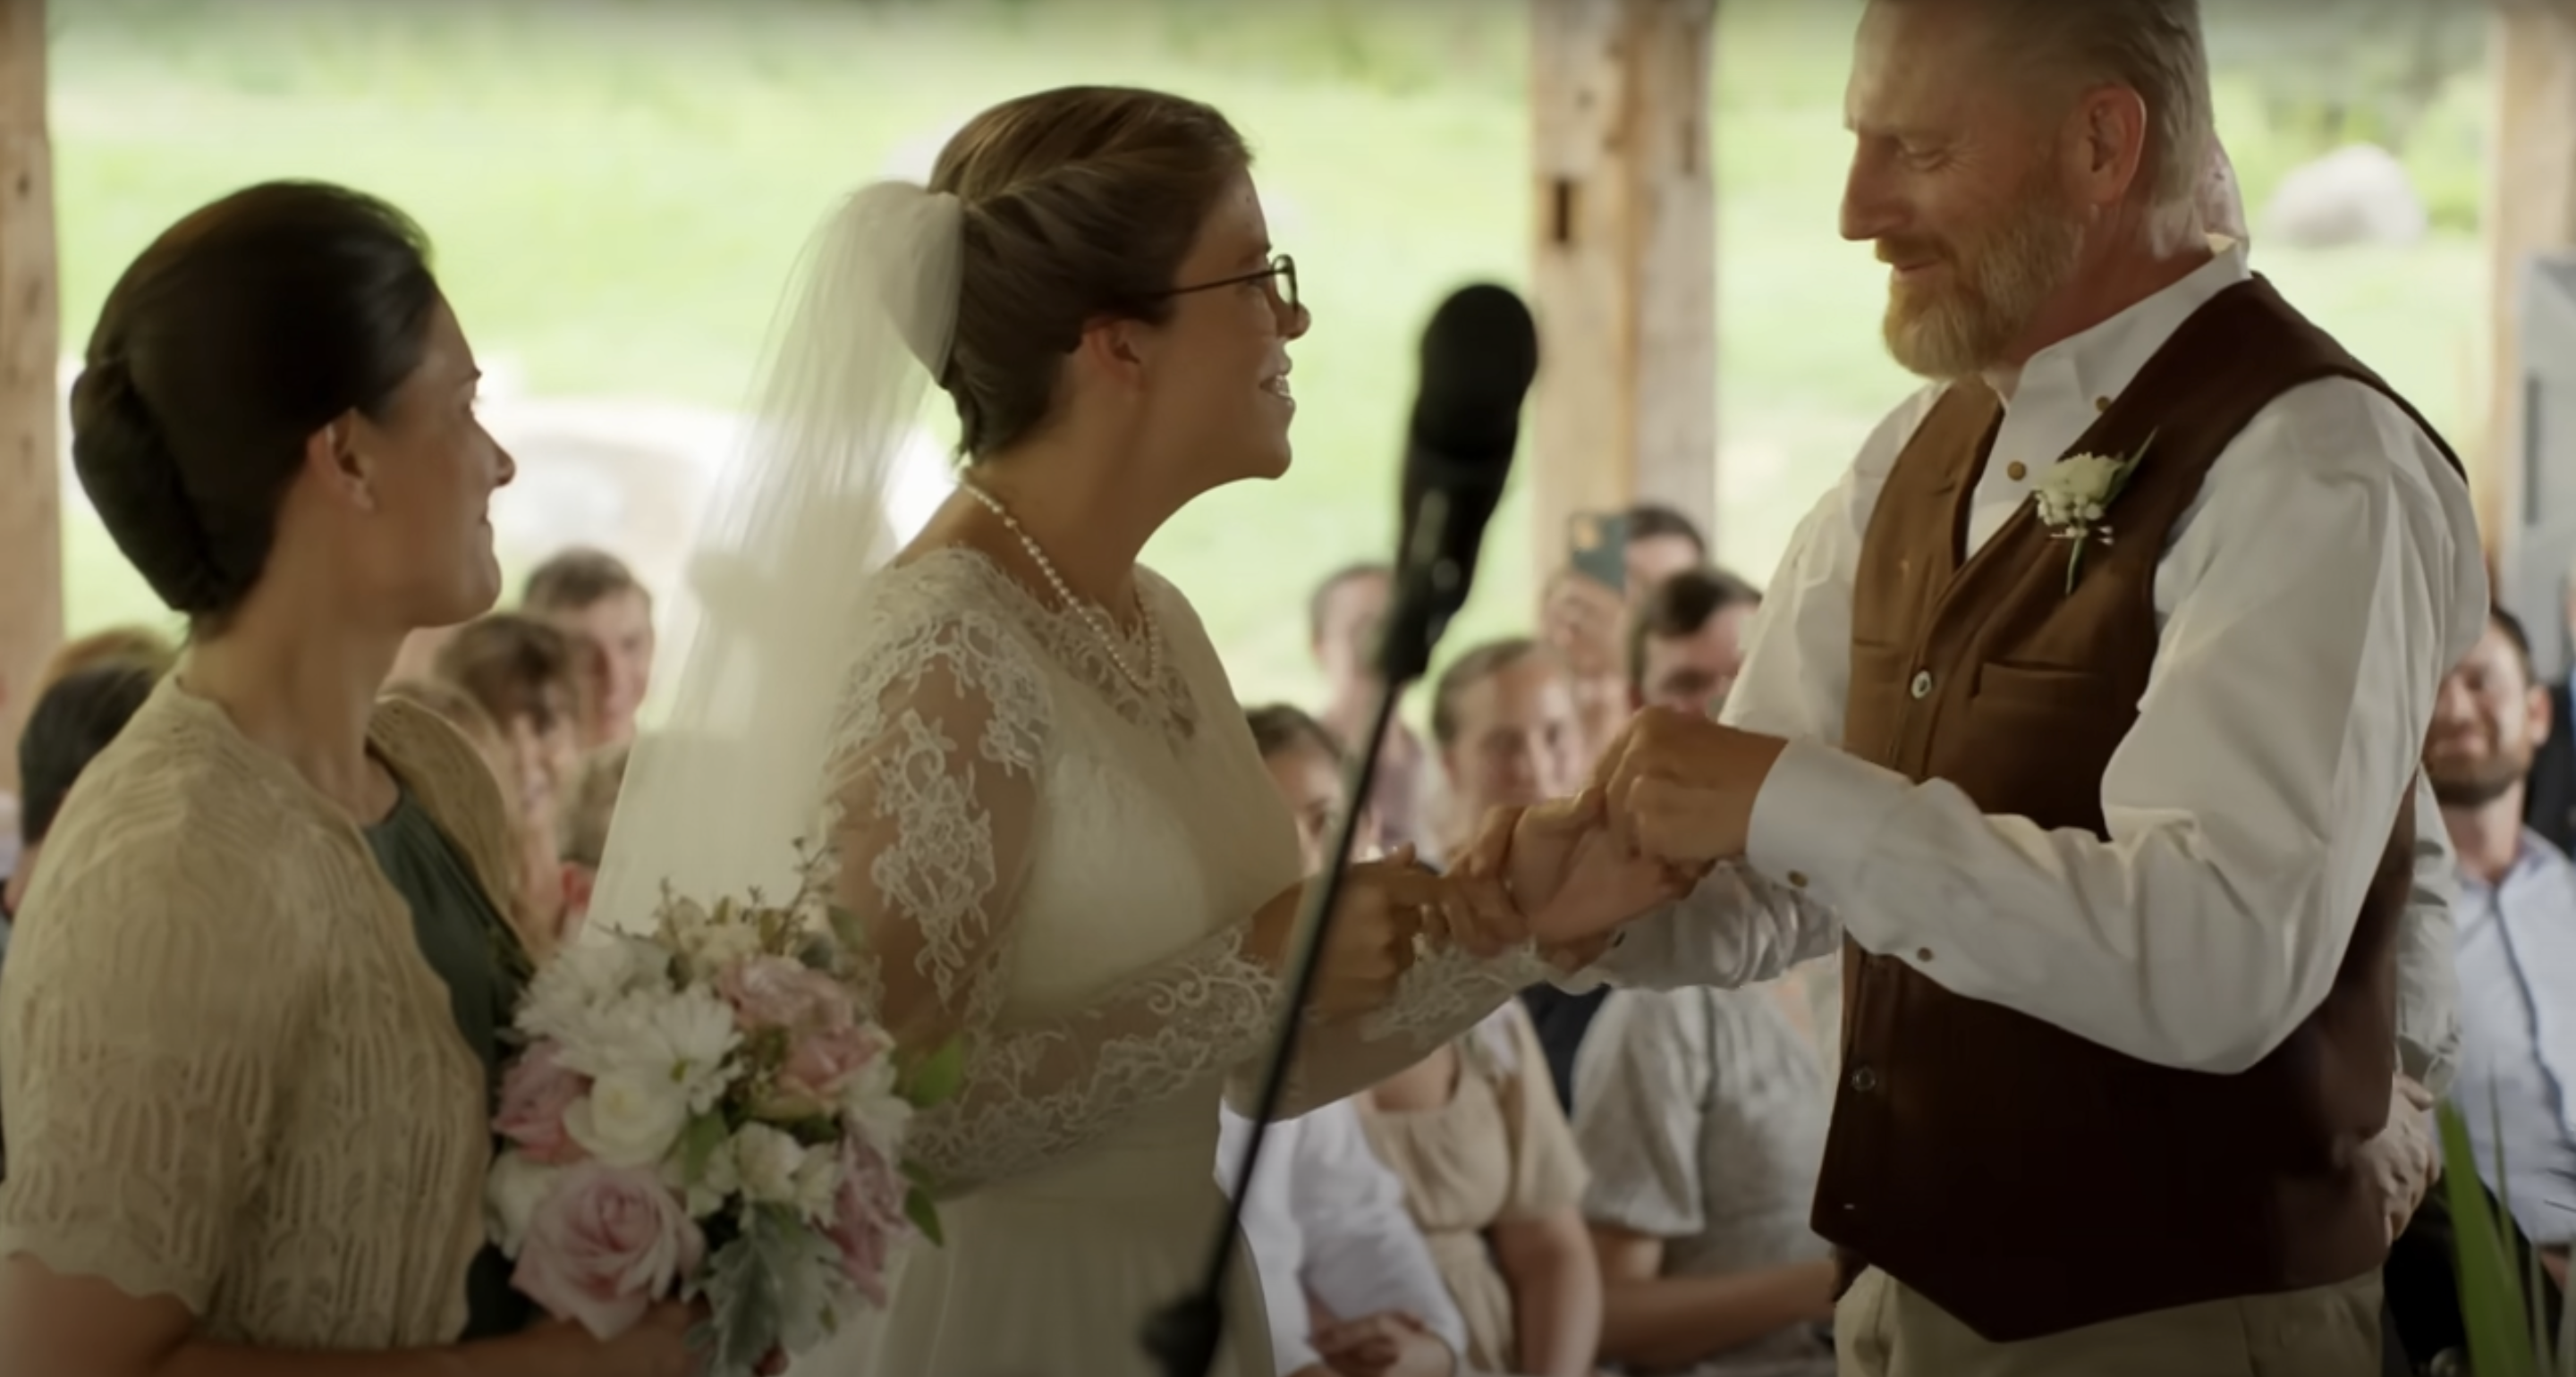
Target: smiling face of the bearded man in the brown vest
(1956, 184)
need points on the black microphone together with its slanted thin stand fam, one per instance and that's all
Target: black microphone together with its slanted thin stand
(1477, 362)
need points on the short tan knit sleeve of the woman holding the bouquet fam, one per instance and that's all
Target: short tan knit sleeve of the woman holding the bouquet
(151, 1021)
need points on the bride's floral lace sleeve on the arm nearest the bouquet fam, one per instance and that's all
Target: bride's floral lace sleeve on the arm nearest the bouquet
(936, 797)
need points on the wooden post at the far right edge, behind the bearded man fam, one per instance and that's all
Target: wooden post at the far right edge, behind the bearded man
(2531, 207)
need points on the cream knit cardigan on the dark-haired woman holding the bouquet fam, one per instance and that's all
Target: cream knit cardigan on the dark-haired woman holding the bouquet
(225, 1069)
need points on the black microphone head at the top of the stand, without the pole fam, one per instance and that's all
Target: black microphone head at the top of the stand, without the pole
(1477, 362)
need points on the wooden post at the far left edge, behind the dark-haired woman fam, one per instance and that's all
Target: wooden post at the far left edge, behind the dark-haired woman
(30, 346)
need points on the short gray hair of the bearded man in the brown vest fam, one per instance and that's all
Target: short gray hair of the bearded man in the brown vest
(2147, 45)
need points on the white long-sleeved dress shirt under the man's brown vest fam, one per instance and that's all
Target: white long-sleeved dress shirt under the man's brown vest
(2309, 604)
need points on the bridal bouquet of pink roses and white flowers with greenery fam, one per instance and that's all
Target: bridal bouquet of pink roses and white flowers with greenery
(702, 1113)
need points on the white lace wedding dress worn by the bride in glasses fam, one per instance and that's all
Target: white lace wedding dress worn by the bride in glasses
(1060, 869)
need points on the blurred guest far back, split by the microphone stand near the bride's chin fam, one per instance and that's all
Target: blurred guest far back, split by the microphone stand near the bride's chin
(1343, 627)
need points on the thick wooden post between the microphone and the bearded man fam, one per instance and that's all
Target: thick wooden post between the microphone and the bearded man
(1627, 261)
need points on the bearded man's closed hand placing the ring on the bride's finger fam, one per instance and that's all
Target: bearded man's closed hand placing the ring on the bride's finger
(1683, 789)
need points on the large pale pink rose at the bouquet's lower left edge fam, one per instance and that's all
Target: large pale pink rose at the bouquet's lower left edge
(604, 1247)
